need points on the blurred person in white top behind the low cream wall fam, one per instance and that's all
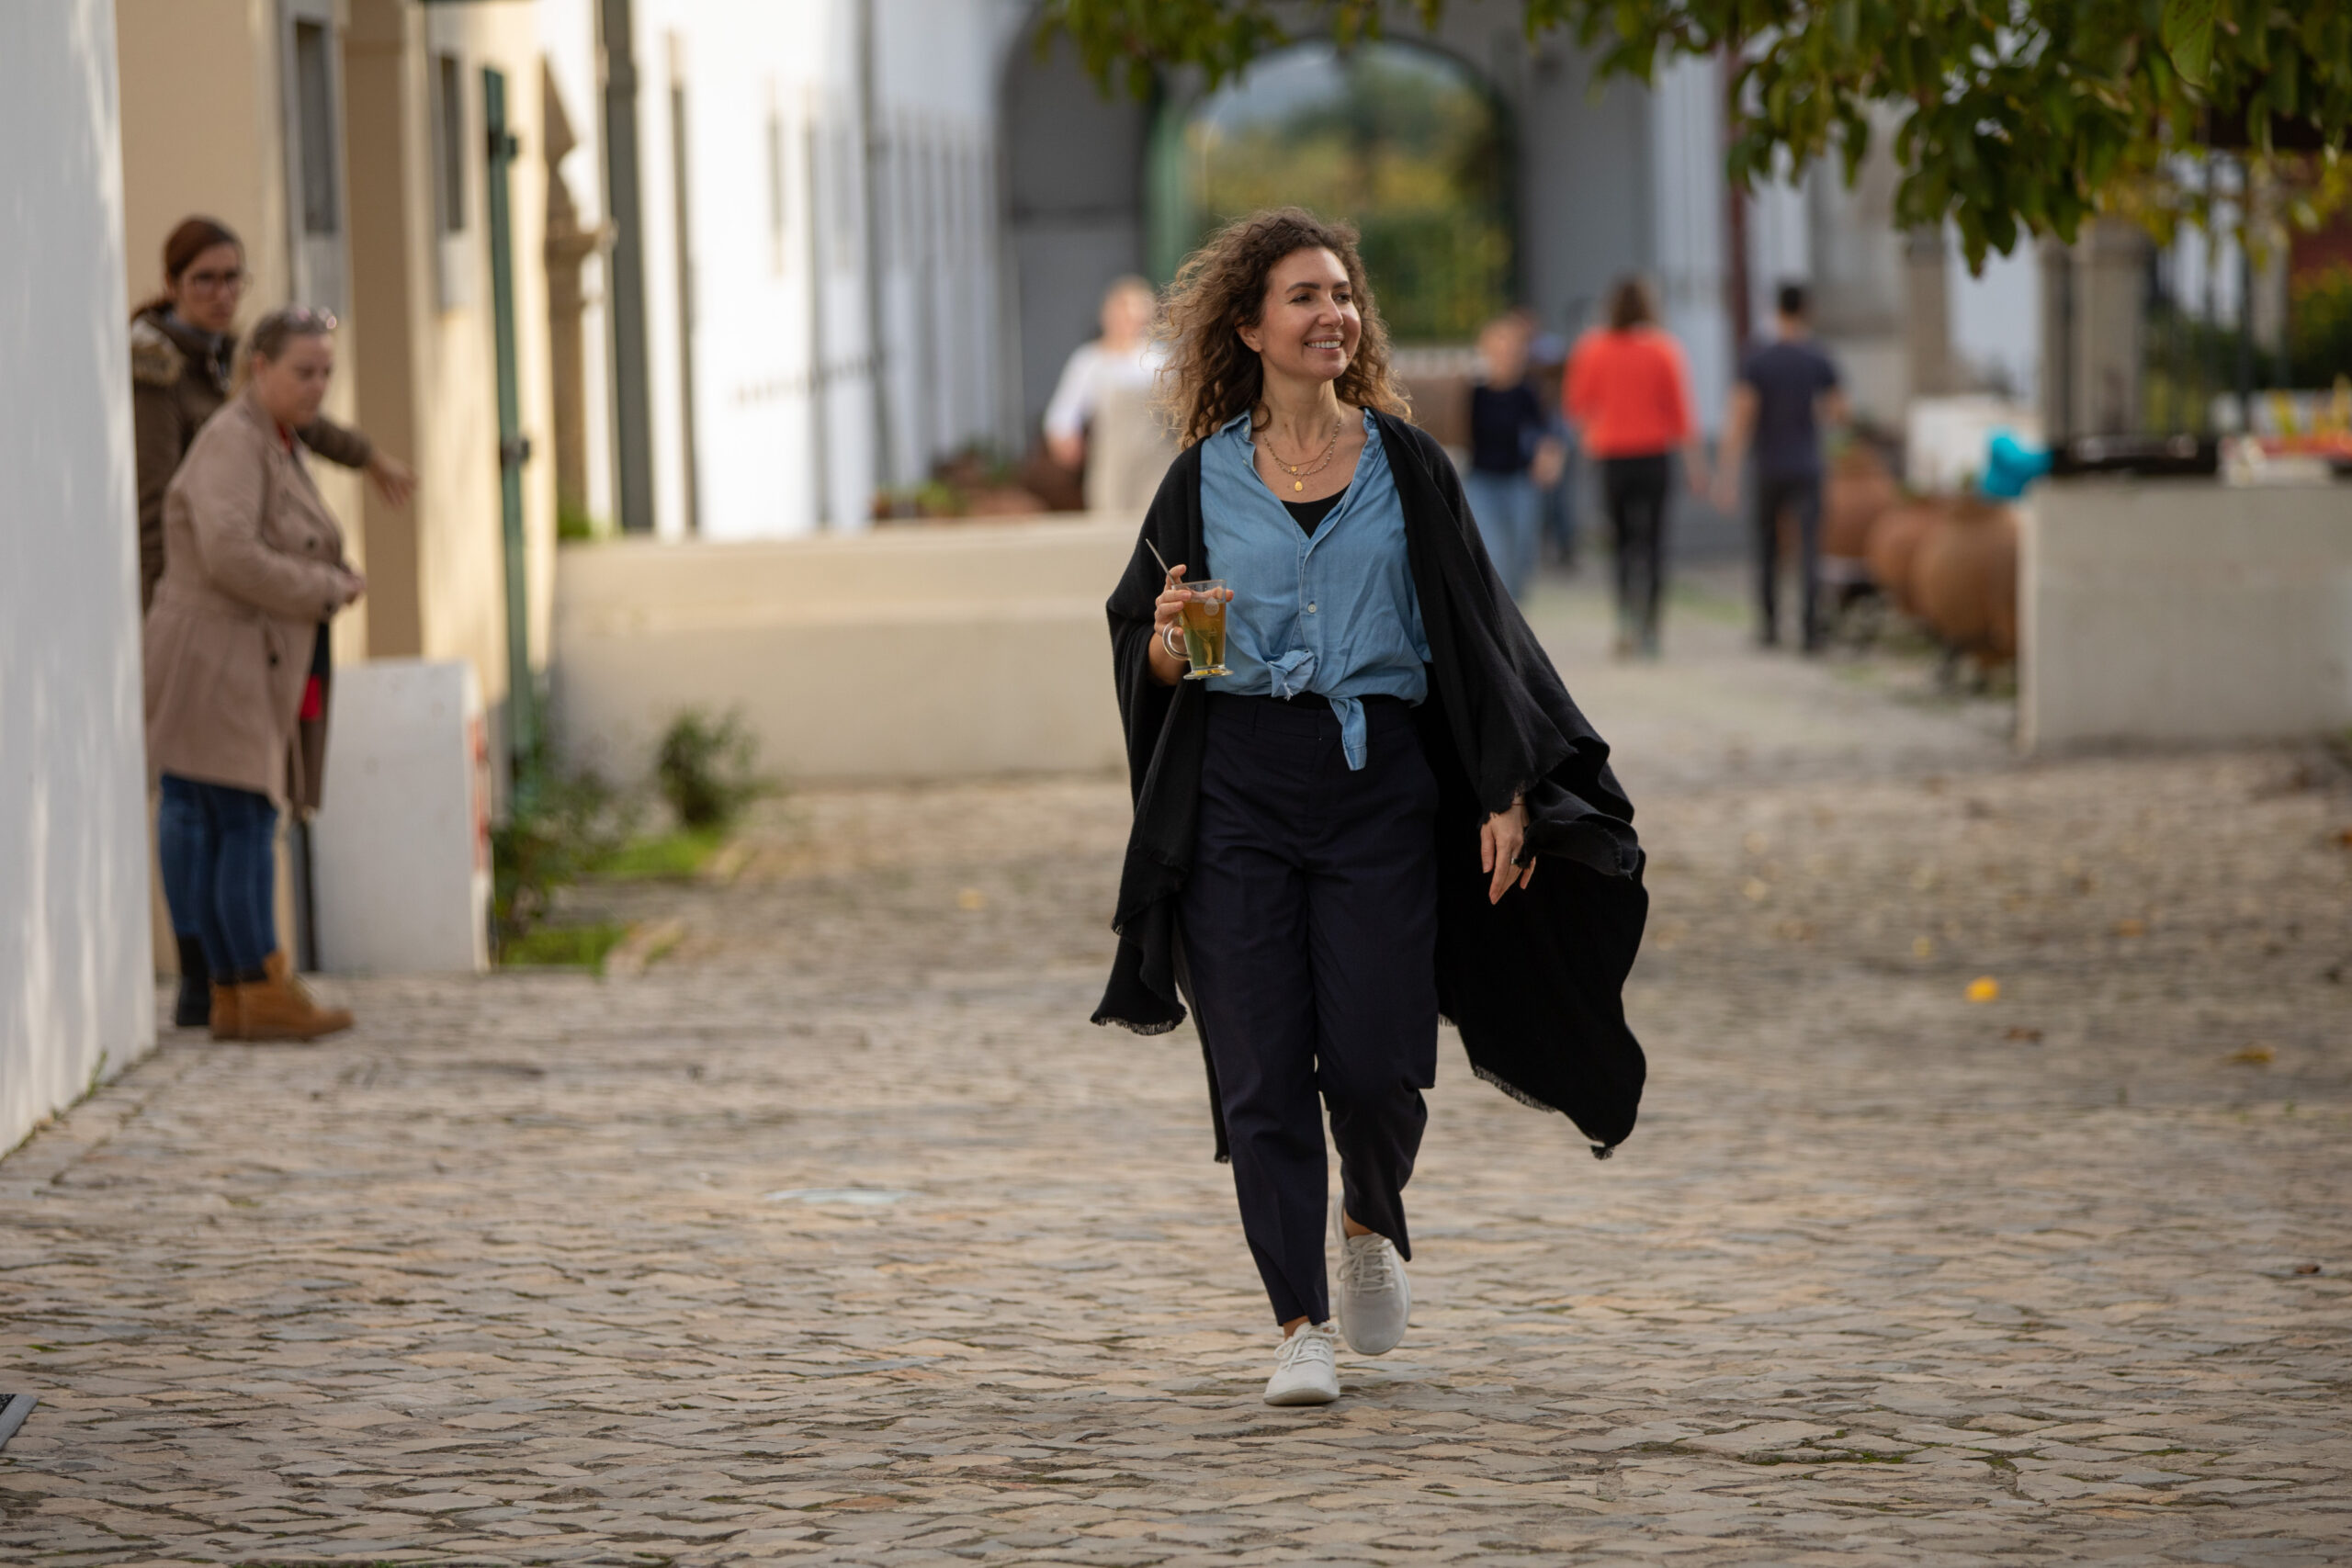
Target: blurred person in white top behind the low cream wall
(1102, 417)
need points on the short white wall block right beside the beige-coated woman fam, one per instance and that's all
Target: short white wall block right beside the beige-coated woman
(401, 845)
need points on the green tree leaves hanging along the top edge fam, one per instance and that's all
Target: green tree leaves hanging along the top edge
(2012, 116)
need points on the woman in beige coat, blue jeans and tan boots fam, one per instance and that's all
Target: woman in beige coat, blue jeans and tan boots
(253, 572)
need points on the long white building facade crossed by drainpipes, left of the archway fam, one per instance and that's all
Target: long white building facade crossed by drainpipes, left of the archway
(784, 415)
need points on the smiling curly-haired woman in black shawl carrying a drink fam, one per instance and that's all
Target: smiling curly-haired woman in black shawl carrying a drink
(1389, 810)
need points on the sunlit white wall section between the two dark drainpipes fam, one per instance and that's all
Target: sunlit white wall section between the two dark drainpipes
(780, 307)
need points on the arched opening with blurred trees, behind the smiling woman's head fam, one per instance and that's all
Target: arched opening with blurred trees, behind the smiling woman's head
(1401, 140)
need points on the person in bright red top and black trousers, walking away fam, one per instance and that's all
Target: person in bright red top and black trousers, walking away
(1631, 396)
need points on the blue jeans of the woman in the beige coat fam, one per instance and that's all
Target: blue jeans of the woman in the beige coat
(220, 873)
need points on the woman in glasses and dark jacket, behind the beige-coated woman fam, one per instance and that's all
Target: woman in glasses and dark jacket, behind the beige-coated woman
(182, 351)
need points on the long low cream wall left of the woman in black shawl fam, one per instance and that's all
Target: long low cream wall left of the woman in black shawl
(909, 652)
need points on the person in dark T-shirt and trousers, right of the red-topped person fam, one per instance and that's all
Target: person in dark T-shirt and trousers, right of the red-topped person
(1786, 394)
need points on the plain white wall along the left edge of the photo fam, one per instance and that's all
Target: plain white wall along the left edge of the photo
(76, 1000)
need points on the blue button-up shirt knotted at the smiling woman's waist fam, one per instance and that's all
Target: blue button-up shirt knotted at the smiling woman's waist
(1330, 612)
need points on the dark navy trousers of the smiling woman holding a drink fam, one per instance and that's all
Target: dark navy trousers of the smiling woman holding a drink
(1311, 944)
